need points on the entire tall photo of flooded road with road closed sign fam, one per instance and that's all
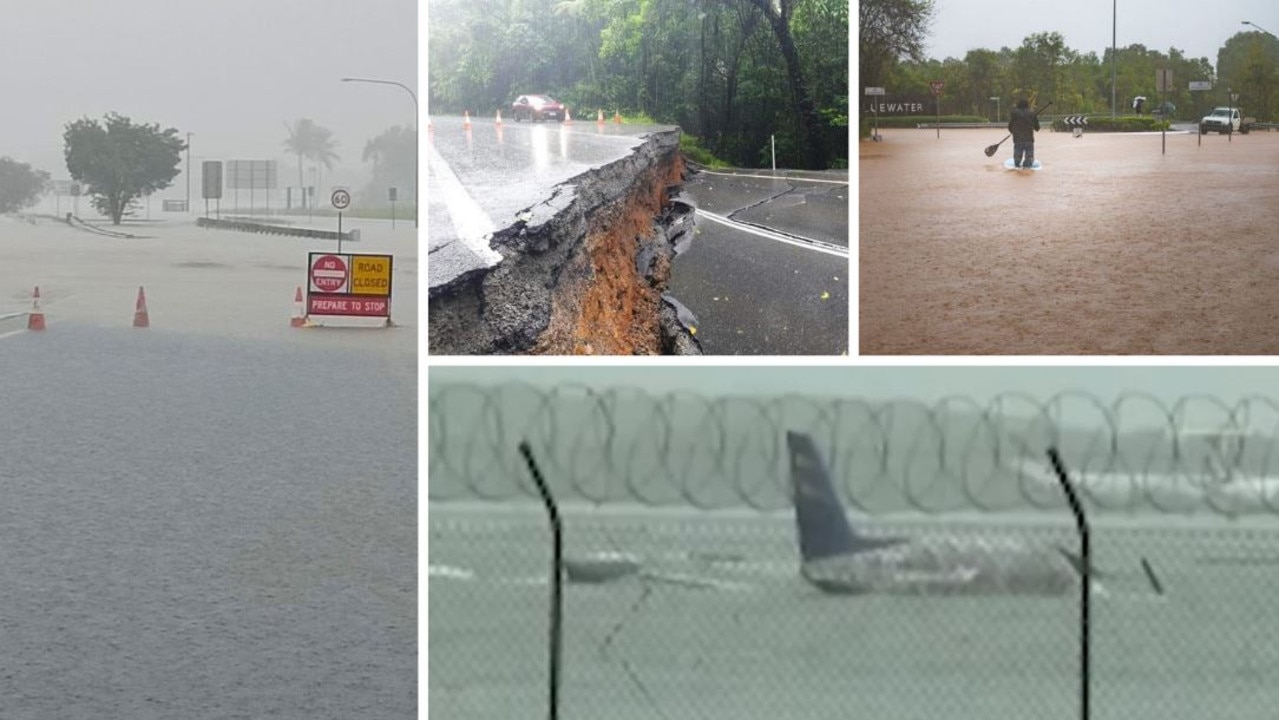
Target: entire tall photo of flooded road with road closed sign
(208, 360)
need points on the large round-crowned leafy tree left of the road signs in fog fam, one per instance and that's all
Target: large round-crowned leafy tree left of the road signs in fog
(120, 162)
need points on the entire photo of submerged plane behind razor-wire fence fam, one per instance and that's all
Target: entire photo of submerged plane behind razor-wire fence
(854, 543)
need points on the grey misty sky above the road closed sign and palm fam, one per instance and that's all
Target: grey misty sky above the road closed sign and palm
(232, 72)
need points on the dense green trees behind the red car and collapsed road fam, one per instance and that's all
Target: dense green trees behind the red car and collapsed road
(730, 72)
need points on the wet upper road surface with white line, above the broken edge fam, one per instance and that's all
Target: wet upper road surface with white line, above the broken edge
(482, 180)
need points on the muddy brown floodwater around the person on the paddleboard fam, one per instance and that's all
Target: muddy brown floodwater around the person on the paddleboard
(1112, 249)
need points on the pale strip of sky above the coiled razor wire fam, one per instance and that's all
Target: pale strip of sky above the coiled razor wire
(884, 383)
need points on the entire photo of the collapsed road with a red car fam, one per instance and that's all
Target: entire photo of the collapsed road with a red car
(639, 177)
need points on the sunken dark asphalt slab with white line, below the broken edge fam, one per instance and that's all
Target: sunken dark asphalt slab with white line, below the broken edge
(768, 270)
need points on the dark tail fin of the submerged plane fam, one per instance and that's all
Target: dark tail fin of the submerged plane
(824, 529)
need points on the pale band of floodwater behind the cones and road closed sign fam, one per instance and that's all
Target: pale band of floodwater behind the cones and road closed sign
(209, 282)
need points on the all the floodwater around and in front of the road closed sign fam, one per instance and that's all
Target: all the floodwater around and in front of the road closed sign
(213, 517)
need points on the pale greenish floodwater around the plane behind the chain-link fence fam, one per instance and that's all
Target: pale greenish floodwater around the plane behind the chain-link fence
(749, 640)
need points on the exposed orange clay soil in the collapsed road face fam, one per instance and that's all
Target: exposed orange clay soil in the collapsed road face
(618, 311)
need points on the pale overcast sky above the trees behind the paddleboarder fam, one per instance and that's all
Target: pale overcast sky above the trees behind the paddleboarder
(1197, 27)
